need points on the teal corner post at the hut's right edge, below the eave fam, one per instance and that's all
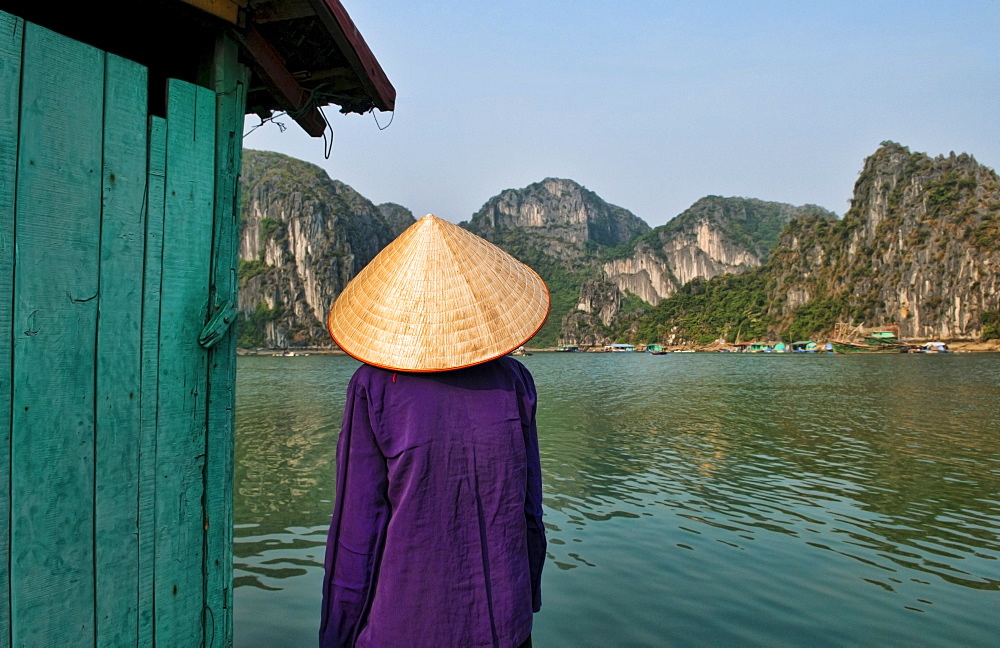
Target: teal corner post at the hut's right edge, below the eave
(229, 83)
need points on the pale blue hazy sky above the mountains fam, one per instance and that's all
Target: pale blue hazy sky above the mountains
(655, 104)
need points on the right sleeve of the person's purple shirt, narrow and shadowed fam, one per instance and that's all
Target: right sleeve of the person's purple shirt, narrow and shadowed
(533, 493)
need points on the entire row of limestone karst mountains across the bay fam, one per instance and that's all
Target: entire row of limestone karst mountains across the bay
(919, 248)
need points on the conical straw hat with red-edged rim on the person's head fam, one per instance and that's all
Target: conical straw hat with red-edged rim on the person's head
(438, 298)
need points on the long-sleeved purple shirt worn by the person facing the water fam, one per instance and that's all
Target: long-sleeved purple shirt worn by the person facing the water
(436, 538)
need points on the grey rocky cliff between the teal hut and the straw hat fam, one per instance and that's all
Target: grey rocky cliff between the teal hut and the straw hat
(303, 236)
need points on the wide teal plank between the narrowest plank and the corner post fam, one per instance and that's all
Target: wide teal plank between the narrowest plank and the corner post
(183, 367)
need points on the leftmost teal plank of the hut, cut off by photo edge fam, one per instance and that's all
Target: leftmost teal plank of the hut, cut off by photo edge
(11, 34)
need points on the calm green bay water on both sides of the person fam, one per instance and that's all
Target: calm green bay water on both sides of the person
(691, 499)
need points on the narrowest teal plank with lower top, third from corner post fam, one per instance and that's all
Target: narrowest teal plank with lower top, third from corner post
(150, 372)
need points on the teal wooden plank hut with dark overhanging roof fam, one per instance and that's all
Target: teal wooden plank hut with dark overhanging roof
(120, 142)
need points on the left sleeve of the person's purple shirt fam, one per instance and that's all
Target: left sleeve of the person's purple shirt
(357, 530)
